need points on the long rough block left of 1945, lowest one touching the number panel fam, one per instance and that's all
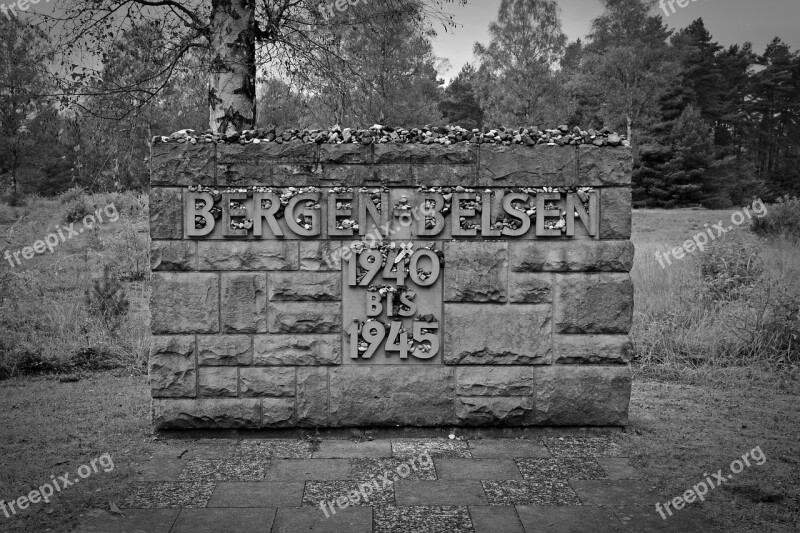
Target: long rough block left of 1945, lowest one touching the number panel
(297, 350)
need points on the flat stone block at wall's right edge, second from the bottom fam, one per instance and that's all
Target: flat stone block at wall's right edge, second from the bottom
(592, 349)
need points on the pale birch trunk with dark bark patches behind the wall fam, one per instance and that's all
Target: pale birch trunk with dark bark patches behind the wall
(232, 83)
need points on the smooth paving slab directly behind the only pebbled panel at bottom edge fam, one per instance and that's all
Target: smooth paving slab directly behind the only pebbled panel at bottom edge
(434, 493)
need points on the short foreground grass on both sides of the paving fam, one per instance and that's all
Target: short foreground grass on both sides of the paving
(679, 433)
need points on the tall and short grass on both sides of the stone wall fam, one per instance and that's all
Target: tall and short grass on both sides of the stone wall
(713, 381)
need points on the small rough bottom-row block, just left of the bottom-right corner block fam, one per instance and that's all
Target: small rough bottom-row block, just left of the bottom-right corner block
(494, 411)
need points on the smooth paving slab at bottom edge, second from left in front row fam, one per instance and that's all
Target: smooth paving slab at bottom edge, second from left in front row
(217, 520)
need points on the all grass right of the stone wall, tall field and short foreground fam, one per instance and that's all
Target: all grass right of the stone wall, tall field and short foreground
(712, 379)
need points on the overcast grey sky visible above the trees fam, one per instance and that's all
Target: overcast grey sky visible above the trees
(729, 21)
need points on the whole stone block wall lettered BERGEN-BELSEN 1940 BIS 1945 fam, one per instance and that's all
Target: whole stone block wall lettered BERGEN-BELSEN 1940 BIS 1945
(501, 295)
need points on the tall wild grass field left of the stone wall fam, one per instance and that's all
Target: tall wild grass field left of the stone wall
(47, 325)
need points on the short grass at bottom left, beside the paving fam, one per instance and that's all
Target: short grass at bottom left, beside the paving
(52, 428)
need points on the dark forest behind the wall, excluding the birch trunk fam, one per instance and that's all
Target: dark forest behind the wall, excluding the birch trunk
(710, 125)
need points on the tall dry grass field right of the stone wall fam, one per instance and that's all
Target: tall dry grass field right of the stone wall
(714, 313)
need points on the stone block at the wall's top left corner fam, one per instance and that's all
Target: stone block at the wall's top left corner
(183, 164)
